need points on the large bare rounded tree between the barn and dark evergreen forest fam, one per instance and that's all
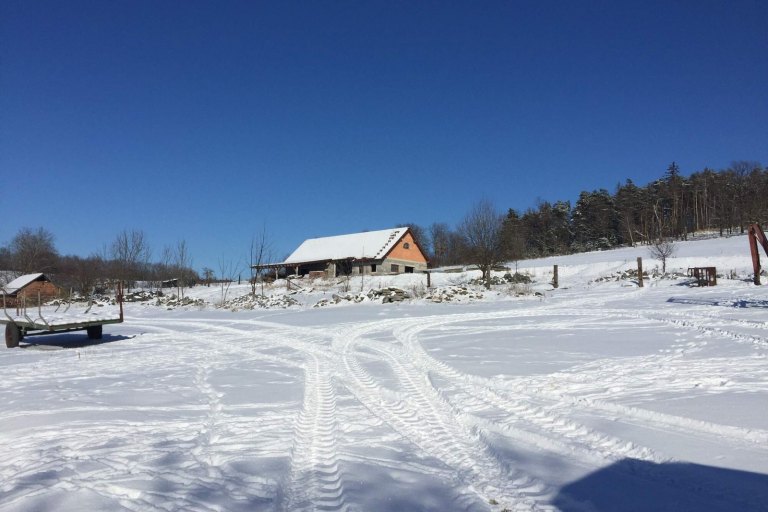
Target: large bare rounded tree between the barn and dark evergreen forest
(482, 230)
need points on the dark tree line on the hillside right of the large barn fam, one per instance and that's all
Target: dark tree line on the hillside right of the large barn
(669, 208)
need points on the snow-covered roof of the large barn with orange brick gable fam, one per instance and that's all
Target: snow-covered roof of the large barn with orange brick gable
(368, 245)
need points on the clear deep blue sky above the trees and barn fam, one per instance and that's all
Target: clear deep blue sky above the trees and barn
(210, 121)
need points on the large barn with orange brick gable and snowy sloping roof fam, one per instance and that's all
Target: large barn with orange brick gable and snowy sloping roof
(388, 251)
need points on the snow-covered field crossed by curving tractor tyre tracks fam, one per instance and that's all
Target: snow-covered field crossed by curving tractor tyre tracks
(597, 396)
